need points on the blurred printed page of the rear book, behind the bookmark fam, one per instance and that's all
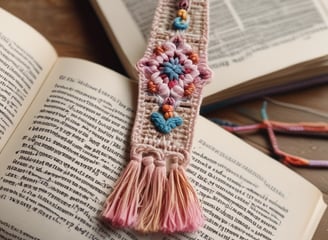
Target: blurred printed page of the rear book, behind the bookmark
(247, 39)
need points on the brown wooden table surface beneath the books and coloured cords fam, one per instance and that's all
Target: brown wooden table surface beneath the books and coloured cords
(75, 31)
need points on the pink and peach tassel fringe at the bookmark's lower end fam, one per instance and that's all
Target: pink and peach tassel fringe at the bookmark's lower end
(148, 199)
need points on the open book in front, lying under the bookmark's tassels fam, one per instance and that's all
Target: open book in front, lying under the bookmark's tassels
(64, 139)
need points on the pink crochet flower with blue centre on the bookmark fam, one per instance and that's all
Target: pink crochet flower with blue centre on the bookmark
(173, 71)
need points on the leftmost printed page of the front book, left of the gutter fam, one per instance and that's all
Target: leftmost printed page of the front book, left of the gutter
(25, 59)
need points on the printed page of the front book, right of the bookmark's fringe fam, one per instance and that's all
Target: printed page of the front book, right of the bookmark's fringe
(249, 196)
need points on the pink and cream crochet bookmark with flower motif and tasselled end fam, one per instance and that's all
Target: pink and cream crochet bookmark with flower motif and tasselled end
(153, 193)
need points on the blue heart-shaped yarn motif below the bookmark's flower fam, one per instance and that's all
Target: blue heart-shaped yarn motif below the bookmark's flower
(165, 126)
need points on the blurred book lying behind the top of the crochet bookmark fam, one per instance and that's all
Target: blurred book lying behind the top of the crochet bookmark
(255, 48)
